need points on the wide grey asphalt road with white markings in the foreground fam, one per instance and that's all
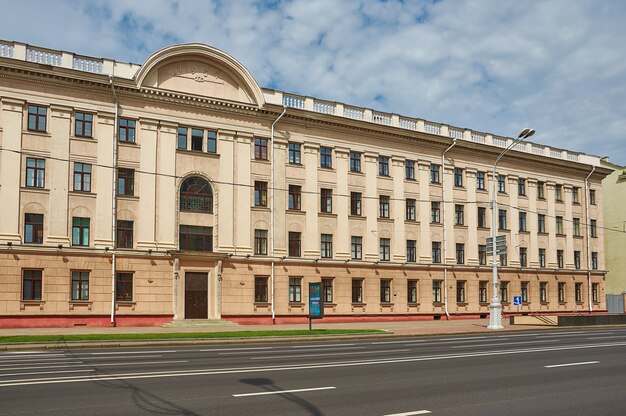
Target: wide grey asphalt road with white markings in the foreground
(561, 372)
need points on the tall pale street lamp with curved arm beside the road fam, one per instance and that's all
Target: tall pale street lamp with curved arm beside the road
(495, 309)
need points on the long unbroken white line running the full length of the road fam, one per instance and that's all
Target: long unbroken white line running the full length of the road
(312, 366)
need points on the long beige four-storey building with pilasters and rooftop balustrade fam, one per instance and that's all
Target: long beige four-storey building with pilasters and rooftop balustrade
(181, 189)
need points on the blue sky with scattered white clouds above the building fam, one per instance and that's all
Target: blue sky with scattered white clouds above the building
(497, 66)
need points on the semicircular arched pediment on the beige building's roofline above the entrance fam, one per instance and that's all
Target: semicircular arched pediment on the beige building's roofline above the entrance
(200, 70)
